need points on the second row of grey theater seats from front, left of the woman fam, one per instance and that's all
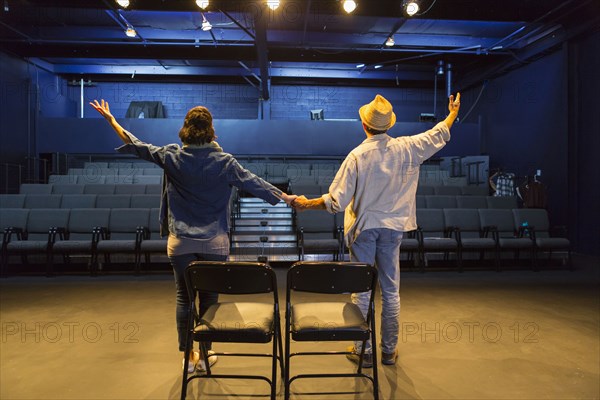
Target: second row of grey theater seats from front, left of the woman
(79, 201)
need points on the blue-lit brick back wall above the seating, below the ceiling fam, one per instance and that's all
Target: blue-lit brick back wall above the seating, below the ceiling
(240, 101)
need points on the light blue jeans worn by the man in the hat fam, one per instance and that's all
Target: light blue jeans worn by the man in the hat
(381, 247)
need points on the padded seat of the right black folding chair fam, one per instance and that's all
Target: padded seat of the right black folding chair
(328, 321)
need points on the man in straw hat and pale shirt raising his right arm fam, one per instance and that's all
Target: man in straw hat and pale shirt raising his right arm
(376, 186)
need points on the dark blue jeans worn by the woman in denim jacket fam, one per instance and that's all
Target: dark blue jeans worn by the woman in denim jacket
(179, 264)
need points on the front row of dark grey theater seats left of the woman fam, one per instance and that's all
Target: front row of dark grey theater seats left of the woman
(80, 232)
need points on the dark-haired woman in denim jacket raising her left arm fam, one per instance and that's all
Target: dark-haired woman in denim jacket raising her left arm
(194, 212)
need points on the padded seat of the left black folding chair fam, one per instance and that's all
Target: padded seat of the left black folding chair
(245, 322)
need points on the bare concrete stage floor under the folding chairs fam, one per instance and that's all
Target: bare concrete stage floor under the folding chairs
(476, 335)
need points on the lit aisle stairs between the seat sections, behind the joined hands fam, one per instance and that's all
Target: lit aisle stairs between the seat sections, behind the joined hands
(263, 232)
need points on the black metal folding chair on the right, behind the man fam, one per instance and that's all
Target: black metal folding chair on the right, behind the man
(324, 320)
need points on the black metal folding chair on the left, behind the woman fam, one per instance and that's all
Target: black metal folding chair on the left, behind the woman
(233, 321)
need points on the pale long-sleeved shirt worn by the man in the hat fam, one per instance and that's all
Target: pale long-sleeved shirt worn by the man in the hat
(377, 182)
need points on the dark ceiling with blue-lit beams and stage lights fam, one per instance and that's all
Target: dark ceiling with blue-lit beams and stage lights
(302, 41)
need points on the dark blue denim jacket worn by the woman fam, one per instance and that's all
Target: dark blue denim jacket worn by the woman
(197, 185)
